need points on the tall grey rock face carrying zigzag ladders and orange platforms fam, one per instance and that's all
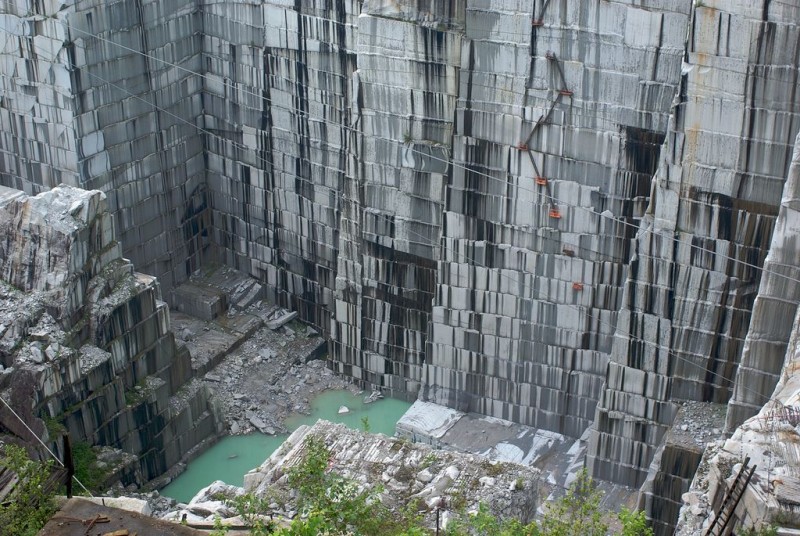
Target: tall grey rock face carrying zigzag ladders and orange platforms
(560, 116)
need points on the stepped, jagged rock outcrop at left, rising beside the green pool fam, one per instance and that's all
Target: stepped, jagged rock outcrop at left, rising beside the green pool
(85, 342)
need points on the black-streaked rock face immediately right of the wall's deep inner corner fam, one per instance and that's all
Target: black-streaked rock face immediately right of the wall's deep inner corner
(276, 107)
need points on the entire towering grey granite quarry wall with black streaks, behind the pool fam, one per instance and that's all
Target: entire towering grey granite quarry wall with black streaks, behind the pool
(551, 212)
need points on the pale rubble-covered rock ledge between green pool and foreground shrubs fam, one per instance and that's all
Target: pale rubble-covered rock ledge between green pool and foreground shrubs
(406, 471)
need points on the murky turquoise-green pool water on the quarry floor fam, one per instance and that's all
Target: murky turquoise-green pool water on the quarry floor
(233, 456)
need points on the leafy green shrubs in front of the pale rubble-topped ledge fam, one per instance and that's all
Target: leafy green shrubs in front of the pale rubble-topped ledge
(334, 505)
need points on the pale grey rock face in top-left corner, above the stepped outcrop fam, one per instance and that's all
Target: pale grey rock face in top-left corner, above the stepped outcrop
(39, 141)
